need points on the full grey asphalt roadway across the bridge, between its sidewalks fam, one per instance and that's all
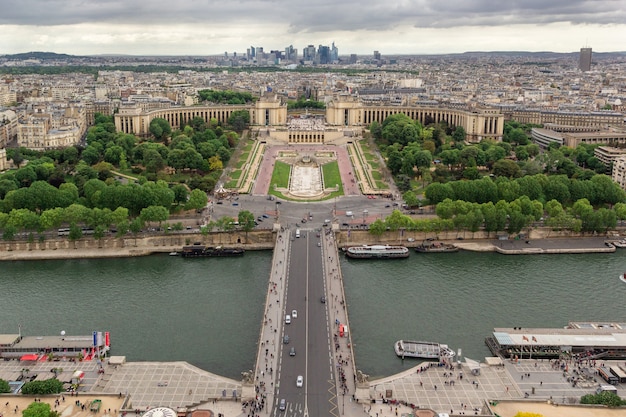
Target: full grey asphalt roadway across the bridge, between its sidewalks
(309, 334)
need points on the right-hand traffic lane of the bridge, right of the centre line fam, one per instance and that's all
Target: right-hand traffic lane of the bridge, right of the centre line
(321, 385)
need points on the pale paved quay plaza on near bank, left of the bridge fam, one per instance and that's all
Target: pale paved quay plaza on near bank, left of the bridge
(129, 388)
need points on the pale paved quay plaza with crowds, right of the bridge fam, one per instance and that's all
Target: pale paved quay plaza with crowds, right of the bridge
(493, 388)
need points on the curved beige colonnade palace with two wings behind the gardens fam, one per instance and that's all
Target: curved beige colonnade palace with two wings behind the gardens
(341, 114)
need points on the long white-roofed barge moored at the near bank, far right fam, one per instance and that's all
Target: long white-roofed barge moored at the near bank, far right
(587, 340)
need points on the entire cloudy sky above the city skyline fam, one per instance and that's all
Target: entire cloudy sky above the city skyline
(209, 27)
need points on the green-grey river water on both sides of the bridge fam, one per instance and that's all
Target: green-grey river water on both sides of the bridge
(208, 311)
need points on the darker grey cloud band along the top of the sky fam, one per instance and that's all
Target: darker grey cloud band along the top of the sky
(315, 15)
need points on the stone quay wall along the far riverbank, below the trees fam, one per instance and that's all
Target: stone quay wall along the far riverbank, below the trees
(265, 240)
